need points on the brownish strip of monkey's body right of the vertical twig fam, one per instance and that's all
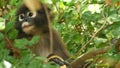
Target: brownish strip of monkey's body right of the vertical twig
(58, 46)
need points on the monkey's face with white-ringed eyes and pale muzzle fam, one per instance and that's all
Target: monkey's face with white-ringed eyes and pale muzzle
(27, 21)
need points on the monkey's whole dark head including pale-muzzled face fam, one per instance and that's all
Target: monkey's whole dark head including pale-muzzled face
(31, 22)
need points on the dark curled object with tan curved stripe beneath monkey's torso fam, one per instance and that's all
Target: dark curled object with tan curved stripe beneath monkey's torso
(57, 60)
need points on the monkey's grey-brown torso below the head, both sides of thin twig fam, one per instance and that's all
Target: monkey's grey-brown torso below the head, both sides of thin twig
(43, 47)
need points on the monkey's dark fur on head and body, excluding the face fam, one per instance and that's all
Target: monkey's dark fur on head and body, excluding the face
(41, 23)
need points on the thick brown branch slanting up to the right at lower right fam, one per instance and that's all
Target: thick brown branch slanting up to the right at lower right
(78, 63)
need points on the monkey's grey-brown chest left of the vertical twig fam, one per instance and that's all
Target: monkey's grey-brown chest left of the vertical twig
(42, 48)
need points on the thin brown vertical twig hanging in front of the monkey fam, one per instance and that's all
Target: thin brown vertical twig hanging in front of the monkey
(50, 30)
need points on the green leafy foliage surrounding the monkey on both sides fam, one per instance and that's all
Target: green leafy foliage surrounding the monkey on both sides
(83, 24)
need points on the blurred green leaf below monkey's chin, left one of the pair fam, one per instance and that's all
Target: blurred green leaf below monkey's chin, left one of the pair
(21, 43)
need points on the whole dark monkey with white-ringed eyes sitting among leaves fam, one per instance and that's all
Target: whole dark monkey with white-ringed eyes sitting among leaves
(30, 23)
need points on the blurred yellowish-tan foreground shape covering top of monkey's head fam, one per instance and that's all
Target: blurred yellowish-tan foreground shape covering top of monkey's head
(32, 5)
